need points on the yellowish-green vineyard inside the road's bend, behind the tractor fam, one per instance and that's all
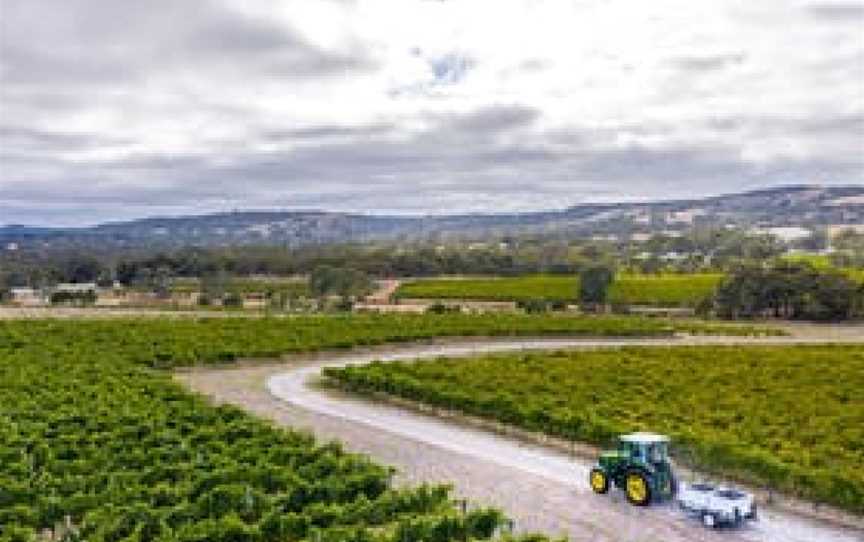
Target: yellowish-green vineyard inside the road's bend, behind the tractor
(789, 418)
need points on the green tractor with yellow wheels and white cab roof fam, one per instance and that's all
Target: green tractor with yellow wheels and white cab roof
(640, 467)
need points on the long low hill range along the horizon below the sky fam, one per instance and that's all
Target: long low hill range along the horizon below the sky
(803, 206)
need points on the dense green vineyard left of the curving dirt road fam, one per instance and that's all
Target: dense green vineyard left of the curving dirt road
(92, 427)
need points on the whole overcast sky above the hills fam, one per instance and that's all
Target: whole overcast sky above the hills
(114, 110)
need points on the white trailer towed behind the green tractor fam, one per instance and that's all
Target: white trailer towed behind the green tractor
(717, 506)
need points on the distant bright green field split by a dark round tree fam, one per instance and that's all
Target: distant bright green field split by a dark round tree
(667, 290)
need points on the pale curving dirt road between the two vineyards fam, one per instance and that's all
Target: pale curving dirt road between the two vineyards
(542, 489)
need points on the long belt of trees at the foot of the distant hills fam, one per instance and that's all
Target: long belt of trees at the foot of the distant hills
(696, 251)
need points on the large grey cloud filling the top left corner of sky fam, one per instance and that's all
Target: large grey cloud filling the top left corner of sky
(98, 42)
